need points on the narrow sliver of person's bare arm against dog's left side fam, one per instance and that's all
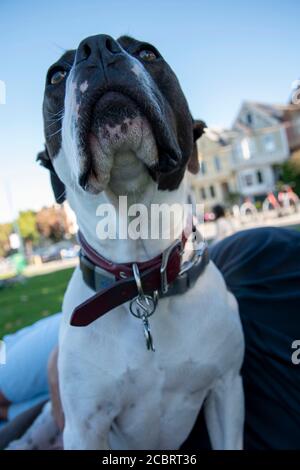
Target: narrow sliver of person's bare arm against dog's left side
(57, 410)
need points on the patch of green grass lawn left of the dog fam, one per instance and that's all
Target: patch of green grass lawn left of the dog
(37, 297)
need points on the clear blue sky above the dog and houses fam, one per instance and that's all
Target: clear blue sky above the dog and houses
(222, 52)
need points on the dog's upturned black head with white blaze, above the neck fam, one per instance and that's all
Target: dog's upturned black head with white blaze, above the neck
(112, 98)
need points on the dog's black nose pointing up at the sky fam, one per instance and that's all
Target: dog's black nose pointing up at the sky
(98, 47)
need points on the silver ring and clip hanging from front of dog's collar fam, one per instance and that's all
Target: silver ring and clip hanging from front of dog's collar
(143, 306)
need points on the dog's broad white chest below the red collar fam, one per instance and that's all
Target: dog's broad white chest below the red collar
(147, 399)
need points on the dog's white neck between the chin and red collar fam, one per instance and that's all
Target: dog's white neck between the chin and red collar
(88, 207)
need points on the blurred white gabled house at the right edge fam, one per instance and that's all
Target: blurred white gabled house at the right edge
(263, 144)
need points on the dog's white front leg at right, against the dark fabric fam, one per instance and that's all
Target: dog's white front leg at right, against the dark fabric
(224, 413)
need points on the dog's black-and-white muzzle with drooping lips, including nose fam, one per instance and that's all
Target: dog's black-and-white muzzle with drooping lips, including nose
(111, 109)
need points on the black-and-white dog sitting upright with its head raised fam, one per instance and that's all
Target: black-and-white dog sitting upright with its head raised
(117, 124)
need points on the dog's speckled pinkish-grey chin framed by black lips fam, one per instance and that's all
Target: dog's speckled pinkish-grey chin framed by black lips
(122, 148)
